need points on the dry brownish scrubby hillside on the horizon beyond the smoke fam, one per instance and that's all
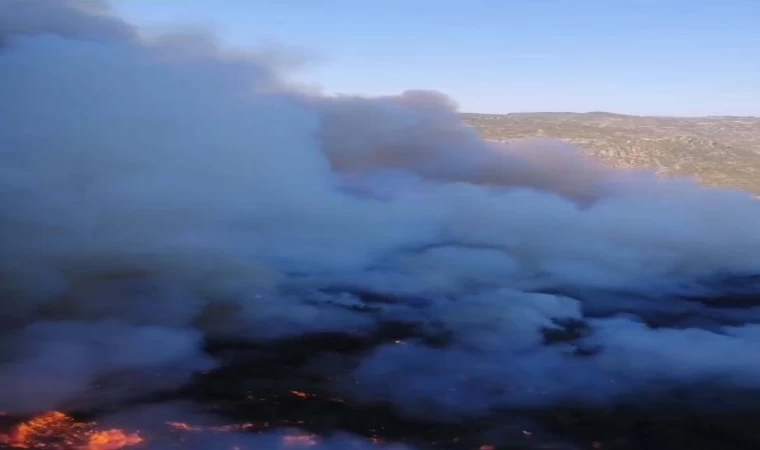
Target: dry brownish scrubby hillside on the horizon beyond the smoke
(719, 151)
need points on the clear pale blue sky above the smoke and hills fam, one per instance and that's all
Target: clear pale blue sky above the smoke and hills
(669, 57)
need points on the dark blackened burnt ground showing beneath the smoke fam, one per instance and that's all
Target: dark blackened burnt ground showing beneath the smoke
(282, 384)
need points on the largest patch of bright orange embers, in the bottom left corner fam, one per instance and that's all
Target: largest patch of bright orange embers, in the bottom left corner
(55, 430)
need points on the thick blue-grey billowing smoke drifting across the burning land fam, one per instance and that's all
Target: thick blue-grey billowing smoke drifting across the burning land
(160, 192)
